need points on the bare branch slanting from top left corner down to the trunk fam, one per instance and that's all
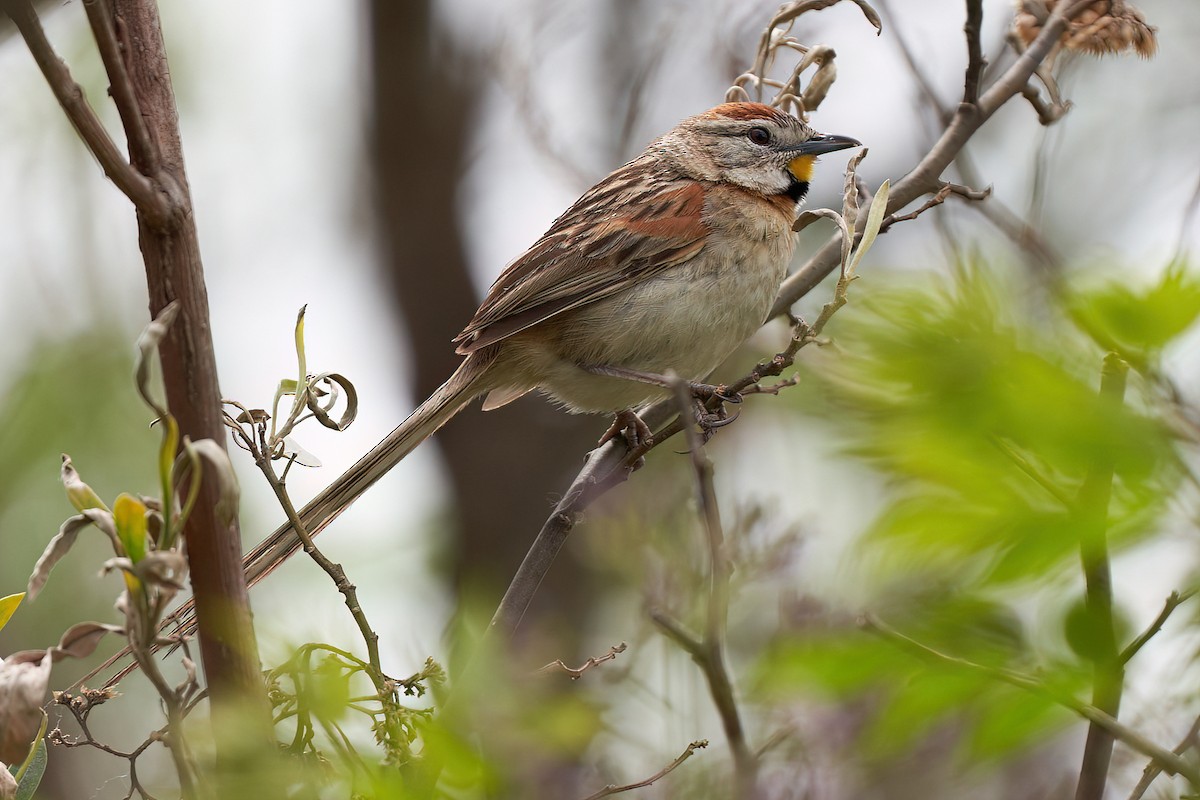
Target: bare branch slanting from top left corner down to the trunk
(70, 95)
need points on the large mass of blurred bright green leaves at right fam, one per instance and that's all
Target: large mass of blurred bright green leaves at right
(979, 405)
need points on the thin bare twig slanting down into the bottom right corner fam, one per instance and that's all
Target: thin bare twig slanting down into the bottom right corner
(1168, 761)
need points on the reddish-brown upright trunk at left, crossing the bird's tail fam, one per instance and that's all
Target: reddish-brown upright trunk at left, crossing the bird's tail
(175, 273)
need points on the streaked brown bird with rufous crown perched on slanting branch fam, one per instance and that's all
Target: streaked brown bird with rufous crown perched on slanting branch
(665, 267)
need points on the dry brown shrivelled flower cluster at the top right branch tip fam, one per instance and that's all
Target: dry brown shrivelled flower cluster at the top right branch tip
(1105, 27)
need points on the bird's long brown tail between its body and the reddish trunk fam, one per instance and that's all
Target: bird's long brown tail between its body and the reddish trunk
(466, 384)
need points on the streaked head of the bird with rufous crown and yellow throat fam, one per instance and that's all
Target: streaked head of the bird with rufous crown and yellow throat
(752, 146)
